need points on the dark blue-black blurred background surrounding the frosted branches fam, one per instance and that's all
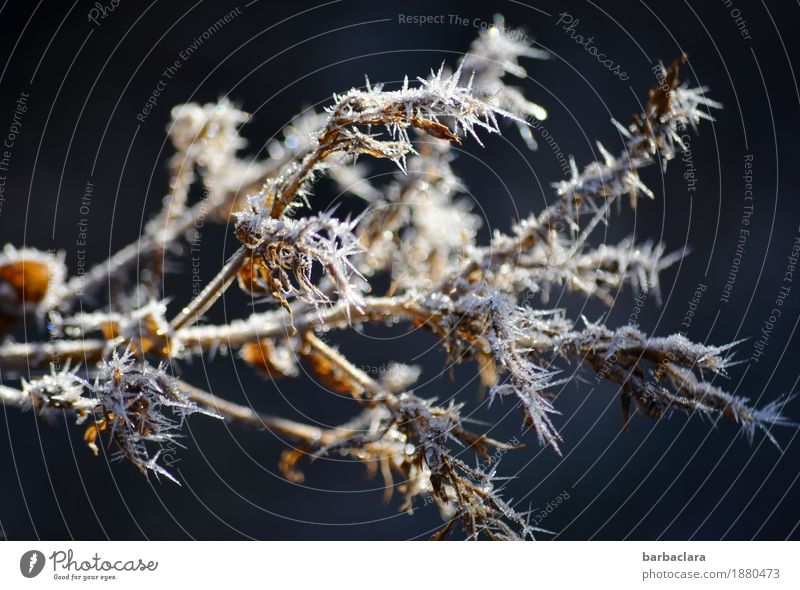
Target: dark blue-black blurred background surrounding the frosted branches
(676, 478)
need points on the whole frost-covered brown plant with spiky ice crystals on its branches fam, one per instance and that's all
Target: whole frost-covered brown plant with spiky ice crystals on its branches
(312, 273)
